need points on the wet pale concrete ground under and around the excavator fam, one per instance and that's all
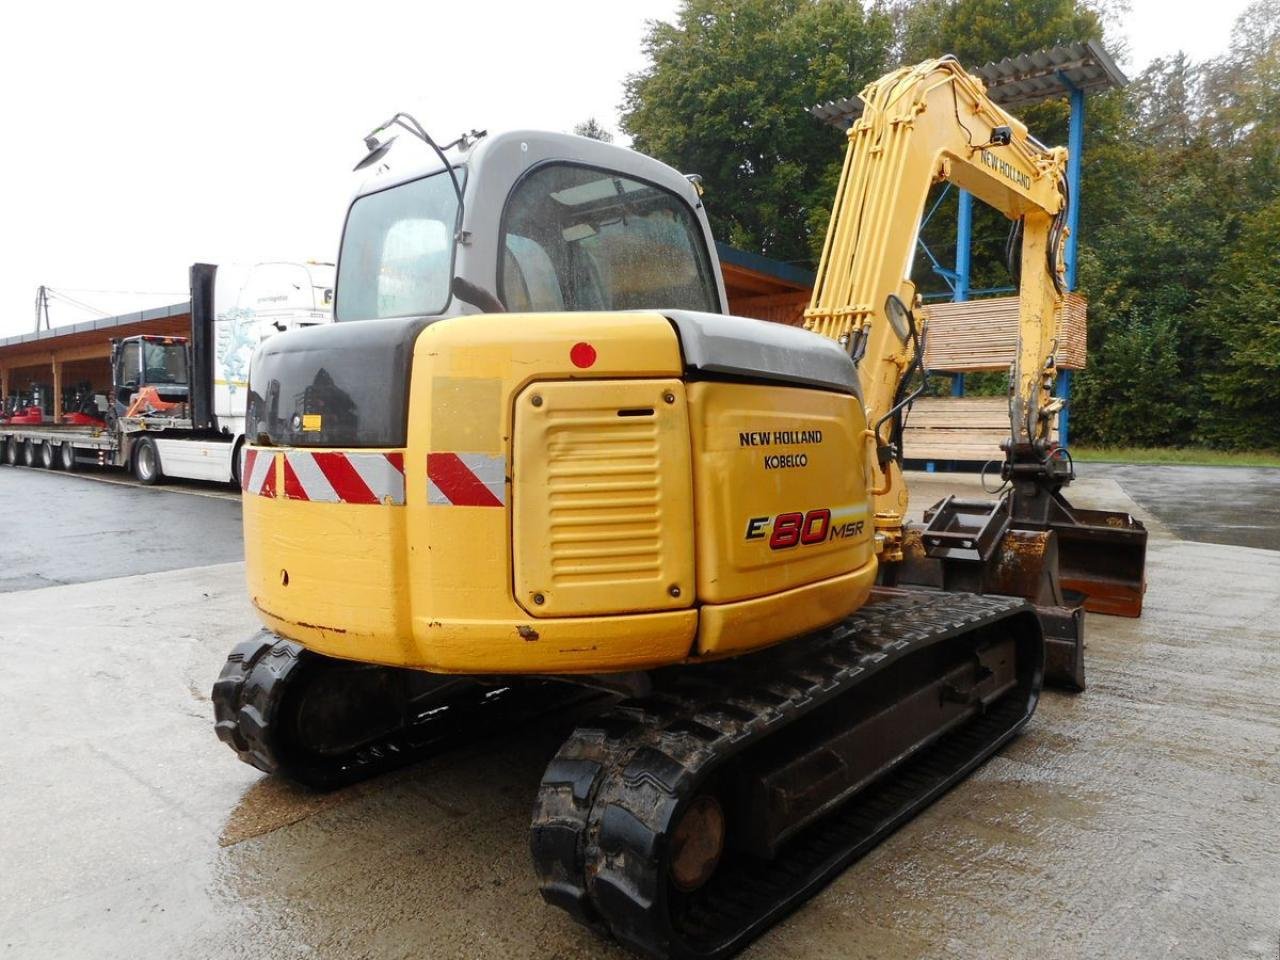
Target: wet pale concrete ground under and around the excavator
(1139, 820)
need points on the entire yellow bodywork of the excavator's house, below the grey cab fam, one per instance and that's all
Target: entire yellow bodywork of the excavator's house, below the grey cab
(444, 582)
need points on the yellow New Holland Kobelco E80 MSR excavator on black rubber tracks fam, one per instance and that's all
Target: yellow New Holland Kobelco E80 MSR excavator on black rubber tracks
(534, 456)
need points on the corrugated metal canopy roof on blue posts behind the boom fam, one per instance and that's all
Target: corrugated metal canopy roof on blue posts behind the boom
(1017, 81)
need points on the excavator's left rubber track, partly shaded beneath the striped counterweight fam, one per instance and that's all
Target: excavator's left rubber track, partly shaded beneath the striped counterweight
(250, 703)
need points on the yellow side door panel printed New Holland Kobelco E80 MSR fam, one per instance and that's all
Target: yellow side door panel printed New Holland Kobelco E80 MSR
(780, 486)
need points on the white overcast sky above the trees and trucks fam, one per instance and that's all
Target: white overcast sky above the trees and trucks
(139, 139)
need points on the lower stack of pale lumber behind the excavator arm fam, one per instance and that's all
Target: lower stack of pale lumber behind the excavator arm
(958, 428)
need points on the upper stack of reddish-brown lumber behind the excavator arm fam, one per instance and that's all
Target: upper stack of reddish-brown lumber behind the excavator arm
(982, 335)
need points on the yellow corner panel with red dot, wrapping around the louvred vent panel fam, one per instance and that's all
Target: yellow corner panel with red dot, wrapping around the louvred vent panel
(467, 377)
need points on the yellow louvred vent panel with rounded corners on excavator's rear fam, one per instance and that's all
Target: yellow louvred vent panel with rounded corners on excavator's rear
(602, 502)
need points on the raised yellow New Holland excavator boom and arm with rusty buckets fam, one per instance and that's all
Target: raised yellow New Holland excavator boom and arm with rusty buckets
(922, 126)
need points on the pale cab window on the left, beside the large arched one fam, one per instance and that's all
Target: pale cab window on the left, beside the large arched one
(397, 252)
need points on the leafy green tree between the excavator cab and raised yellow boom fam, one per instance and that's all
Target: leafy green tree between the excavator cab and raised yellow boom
(726, 95)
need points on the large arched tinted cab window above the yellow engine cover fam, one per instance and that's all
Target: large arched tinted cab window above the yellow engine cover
(582, 239)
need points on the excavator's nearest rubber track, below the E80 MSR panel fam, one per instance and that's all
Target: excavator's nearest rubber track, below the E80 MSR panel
(611, 796)
